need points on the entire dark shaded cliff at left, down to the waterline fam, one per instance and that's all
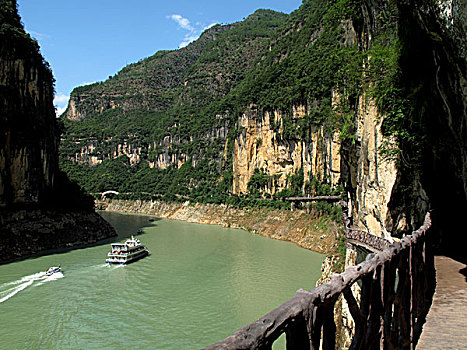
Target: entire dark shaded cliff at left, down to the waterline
(39, 207)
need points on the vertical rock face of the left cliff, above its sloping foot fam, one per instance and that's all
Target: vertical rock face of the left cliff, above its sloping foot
(29, 145)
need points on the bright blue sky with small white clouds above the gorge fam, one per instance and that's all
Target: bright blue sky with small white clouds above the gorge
(89, 40)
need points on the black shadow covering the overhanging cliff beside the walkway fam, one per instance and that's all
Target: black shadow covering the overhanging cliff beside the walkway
(433, 72)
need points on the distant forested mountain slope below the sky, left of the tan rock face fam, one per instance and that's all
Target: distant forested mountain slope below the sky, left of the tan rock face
(163, 113)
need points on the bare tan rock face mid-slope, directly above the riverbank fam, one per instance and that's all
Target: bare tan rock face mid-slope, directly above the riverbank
(261, 145)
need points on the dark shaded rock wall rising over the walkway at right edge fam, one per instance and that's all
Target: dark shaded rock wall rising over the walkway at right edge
(435, 68)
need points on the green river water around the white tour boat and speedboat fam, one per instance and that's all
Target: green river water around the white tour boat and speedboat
(200, 284)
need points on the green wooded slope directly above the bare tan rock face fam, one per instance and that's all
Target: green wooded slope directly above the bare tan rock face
(309, 61)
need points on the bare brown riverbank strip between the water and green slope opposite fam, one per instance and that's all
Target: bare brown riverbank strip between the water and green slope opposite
(308, 230)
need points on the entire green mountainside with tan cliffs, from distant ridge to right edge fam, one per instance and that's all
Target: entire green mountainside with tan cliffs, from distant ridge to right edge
(362, 96)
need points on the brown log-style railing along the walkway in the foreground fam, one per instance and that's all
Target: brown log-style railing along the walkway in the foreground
(397, 287)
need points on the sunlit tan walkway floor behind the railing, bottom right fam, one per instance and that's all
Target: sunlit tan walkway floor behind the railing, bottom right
(446, 325)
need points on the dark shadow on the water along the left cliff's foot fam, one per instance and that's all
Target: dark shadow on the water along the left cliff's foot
(128, 225)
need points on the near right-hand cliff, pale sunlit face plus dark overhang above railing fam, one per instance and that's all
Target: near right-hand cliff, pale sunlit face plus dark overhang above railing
(390, 194)
